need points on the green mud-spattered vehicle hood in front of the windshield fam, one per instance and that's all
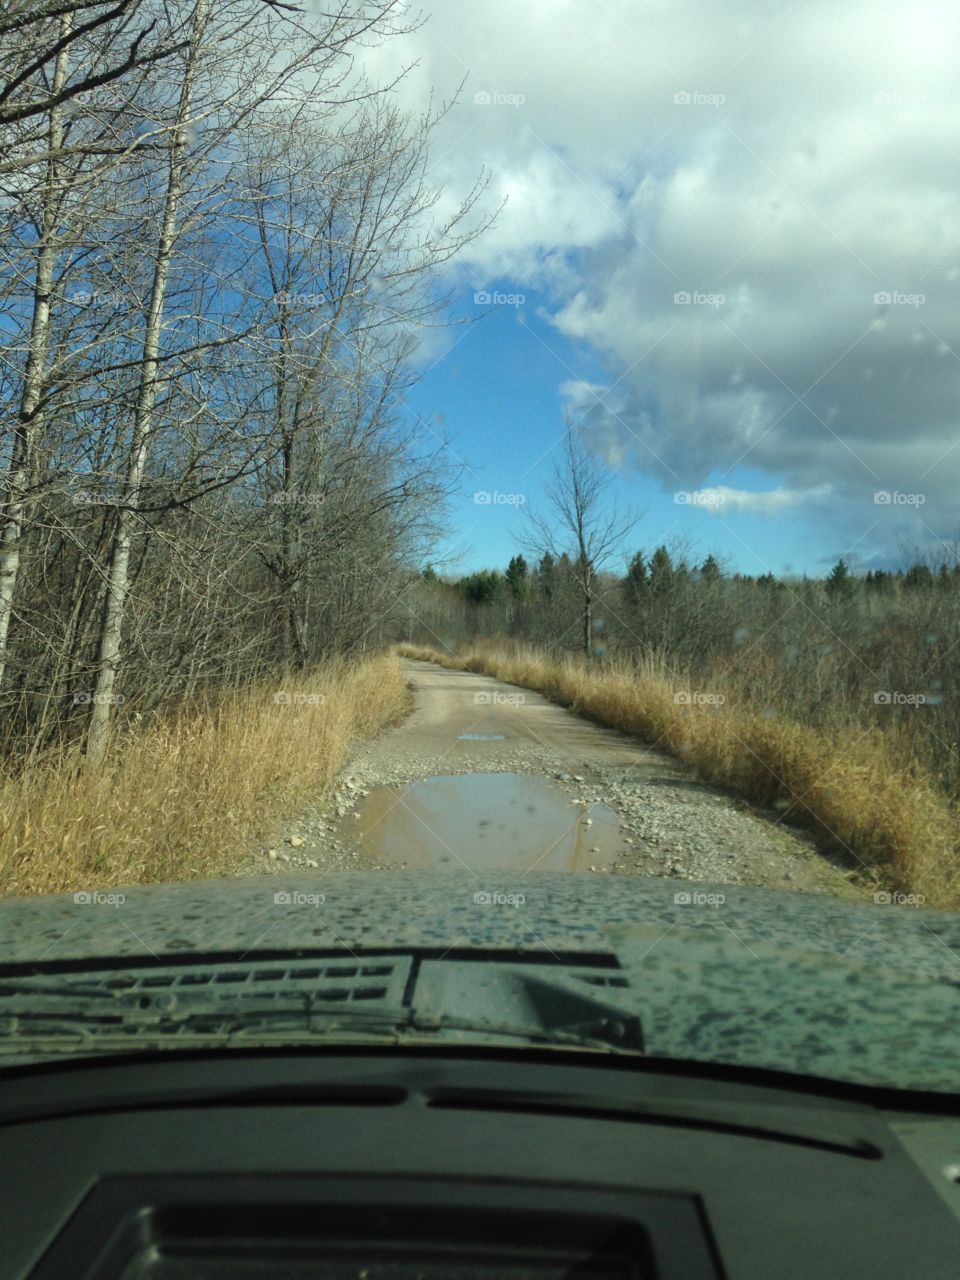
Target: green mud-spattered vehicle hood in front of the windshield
(720, 973)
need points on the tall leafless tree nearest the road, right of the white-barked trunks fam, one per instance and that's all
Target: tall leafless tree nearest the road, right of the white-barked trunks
(349, 259)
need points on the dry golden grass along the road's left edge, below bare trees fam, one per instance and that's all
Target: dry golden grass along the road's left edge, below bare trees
(182, 797)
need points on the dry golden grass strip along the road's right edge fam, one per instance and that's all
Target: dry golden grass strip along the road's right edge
(856, 788)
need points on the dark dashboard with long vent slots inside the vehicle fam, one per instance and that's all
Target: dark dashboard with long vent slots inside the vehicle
(386, 1165)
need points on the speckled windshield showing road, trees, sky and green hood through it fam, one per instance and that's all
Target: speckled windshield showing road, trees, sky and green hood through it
(515, 446)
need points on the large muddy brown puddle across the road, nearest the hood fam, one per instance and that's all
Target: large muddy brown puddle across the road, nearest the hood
(483, 822)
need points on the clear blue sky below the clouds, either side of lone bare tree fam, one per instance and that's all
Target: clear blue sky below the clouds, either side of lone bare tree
(497, 396)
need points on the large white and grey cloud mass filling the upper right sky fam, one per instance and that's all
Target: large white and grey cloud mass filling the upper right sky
(813, 168)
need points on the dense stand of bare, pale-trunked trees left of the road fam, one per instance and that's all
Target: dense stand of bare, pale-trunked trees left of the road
(209, 468)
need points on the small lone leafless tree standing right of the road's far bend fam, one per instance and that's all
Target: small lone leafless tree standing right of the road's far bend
(582, 523)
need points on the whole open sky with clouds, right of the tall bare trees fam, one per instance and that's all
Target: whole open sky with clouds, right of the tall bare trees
(742, 281)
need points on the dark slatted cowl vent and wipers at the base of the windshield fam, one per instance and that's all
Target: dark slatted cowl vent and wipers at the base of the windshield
(397, 999)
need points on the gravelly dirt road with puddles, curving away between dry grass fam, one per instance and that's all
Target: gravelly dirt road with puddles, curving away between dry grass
(484, 775)
